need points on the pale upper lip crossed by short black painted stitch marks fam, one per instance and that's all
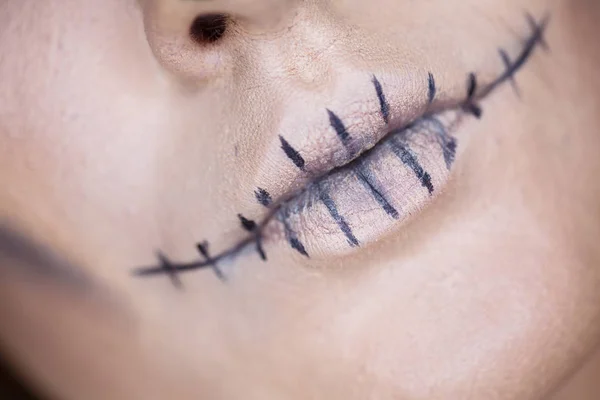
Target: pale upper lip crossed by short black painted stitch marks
(312, 128)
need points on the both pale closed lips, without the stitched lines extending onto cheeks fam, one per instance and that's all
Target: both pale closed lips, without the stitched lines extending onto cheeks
(324, 147)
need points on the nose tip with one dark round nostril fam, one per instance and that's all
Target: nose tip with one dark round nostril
(183, 34)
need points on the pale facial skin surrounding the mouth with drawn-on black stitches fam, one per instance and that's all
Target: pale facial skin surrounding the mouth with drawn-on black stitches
(121, 136)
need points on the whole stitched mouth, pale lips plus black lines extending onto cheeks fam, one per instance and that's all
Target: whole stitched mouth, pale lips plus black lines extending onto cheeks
(355, 175)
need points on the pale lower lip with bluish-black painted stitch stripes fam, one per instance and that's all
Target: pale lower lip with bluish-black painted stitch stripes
(371, 196)
